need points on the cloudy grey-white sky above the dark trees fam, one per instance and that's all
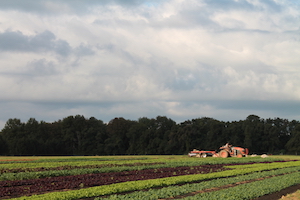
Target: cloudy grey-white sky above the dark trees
(183, 59)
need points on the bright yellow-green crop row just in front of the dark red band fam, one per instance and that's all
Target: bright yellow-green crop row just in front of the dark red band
(147, 184)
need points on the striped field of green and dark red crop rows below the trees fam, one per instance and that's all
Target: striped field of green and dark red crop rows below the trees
(145, 177)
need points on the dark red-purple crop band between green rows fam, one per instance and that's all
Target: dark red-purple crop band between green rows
(35, 186)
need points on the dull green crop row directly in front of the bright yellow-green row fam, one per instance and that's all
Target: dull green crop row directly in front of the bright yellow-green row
(172, 191)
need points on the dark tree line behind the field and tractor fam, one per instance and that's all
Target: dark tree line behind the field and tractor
(77, 135)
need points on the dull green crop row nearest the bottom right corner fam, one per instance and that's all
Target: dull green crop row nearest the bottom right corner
(253, 189)
